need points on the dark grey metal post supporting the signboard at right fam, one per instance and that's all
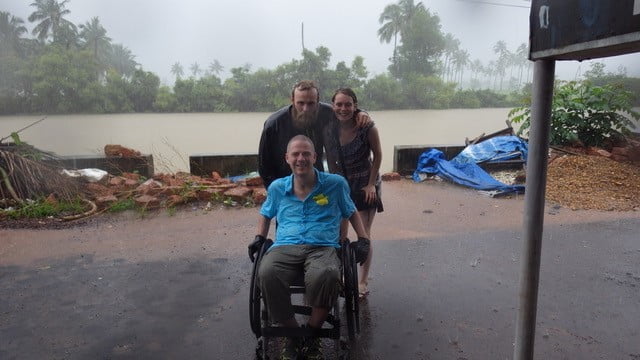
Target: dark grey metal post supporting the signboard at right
(542, 95)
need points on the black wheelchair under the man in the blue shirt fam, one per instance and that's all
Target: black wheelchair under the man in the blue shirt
(265, 330)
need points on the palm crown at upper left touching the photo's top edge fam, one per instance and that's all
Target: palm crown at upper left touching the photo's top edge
(50, 14)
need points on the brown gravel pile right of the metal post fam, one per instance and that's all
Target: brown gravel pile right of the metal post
(582, 182)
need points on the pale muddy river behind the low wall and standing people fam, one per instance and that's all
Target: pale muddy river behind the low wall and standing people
(172, 138)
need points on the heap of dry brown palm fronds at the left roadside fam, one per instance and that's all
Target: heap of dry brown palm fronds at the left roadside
(22, 178)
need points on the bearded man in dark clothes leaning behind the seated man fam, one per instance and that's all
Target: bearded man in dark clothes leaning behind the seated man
(305, 116)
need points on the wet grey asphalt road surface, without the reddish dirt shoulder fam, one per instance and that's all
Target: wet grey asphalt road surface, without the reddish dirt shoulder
(436, 297)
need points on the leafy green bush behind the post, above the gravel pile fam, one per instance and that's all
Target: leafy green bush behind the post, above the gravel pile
(584, 112)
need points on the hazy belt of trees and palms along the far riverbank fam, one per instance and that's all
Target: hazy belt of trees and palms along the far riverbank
(69, 68)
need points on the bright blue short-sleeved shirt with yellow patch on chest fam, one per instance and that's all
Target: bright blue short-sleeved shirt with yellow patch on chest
(314, 220)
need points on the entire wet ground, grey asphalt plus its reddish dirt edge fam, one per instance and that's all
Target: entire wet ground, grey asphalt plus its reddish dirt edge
(444, 283)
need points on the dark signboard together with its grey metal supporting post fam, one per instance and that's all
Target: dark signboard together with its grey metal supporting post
(560, 30)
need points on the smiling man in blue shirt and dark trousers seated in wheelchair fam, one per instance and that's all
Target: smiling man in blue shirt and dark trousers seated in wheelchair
(309, 206)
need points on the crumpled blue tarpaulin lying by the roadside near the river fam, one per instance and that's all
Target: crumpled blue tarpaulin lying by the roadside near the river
(433, 162)
